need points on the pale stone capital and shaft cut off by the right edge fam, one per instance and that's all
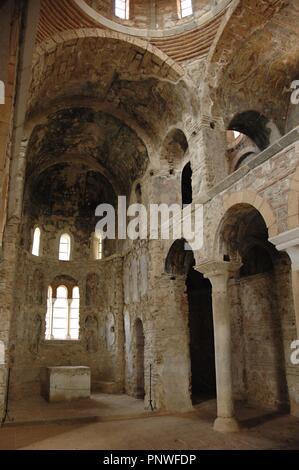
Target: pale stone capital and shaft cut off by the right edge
(289, 241)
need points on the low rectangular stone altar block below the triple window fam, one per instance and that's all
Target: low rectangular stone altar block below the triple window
(65, 383)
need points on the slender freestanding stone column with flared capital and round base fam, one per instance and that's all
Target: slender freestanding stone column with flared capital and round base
(219, 273)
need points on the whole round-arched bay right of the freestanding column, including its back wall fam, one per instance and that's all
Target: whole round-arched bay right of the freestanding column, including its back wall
(256, 294)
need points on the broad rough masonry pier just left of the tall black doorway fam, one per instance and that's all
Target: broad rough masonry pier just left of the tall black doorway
(171, 364)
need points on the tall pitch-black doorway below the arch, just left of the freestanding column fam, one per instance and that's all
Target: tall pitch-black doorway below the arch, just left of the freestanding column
(202, 351)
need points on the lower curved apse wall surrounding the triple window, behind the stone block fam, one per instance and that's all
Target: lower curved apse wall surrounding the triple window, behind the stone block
(100, 345)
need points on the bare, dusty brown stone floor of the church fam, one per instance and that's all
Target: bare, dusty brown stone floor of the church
(121, 423)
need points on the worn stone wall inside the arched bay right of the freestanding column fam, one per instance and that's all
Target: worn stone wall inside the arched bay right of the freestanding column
(262, 331)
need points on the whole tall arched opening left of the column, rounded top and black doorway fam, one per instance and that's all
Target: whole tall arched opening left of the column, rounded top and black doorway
(195, 311)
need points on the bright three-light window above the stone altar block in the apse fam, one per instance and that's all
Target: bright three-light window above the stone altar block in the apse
(62, 319)
